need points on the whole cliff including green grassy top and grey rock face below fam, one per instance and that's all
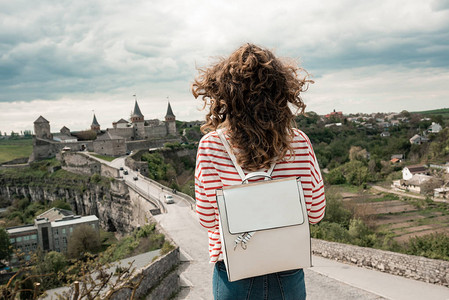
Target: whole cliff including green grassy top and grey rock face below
(108, 199)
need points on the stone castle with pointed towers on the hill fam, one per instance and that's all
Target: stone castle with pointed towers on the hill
(123, 137)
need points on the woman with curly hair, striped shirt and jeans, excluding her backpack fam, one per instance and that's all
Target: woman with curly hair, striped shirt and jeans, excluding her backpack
(250, 96)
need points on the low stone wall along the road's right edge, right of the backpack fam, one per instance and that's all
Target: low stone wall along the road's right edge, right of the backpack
(410, 266)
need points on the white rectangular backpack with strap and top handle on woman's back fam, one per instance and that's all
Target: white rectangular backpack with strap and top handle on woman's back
(264, 226)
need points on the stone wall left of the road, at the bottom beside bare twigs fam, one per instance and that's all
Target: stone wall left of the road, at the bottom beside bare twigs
(160, 279)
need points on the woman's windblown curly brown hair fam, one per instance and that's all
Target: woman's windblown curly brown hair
(250, 94)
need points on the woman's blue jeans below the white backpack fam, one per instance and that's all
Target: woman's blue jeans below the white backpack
(283, 286)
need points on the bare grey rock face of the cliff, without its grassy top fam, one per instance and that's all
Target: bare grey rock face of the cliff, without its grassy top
(110, 203)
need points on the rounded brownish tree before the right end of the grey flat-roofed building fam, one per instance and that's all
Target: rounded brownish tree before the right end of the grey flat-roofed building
(83, 239)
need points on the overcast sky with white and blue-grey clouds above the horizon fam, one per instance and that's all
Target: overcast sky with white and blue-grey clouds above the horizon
(65, 59)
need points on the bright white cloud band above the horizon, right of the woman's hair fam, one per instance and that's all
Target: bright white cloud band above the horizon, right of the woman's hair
(379, 89)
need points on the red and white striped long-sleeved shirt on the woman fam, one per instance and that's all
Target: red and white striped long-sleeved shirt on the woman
(214, 170)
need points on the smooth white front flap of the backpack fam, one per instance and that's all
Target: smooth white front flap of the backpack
(263, 205)
